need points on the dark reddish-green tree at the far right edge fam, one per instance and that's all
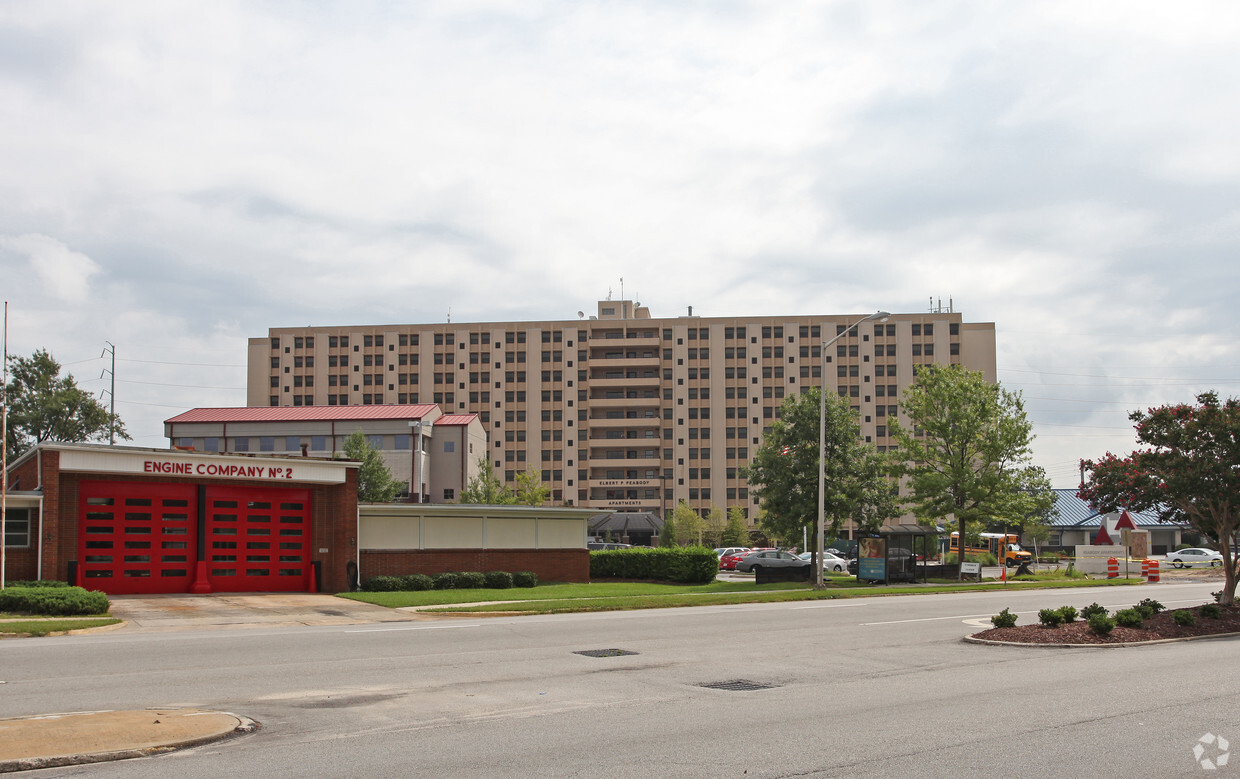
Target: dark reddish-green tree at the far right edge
(1187, 473)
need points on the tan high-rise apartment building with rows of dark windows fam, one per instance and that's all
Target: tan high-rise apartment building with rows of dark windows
(621, 410)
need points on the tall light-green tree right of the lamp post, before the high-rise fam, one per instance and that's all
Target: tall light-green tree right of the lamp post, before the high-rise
(968, 455)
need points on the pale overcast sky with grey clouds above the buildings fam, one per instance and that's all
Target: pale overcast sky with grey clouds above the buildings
(179, 177)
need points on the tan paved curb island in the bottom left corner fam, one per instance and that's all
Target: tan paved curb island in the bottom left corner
(48, 741)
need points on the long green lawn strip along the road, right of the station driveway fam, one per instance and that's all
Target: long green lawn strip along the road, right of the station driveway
(623, 596)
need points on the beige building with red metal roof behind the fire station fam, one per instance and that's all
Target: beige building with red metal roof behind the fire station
(449, 445)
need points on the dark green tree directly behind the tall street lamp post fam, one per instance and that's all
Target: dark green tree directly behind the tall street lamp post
(784, 471)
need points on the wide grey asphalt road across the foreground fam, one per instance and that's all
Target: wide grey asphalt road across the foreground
(866, 688)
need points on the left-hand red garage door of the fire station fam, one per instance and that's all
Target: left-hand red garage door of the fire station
(136, 538)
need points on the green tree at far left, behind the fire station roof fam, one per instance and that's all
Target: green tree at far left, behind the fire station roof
(45, 406)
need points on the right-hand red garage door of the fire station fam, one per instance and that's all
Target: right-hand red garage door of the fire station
(259, 540)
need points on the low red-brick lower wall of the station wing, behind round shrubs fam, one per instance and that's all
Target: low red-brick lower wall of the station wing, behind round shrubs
(550, 565)
